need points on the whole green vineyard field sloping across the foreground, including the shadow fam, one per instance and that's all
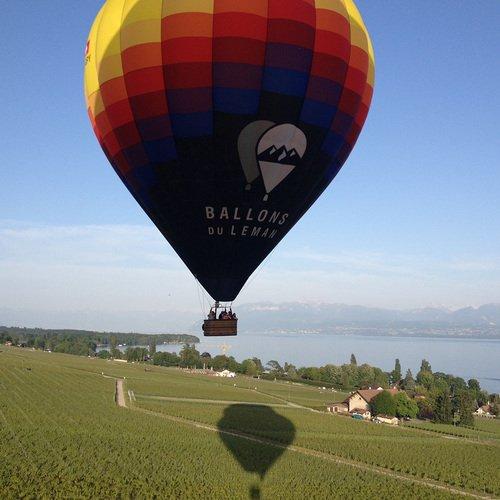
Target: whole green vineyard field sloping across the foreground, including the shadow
(63, 436)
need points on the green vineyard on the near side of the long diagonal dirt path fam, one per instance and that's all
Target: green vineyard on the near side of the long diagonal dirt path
(63, 437)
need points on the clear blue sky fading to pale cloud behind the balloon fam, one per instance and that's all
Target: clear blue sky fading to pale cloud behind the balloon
(412, 220)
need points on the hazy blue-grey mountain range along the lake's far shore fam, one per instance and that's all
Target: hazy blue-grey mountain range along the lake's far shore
(292, 317)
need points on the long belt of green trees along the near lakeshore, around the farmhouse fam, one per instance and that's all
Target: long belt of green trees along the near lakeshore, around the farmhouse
(431, 395)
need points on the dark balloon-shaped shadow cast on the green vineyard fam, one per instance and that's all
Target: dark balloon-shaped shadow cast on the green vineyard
(263, 423)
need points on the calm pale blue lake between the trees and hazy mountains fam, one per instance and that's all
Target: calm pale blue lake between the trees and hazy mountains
(467, 358)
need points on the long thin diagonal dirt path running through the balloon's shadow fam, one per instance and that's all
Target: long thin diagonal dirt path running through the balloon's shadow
(324, 456)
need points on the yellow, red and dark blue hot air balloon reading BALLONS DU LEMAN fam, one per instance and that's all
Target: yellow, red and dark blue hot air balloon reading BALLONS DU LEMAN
(227, 119)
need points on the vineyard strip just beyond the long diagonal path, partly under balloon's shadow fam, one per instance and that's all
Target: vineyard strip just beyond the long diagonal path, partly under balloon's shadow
(457, 463)
